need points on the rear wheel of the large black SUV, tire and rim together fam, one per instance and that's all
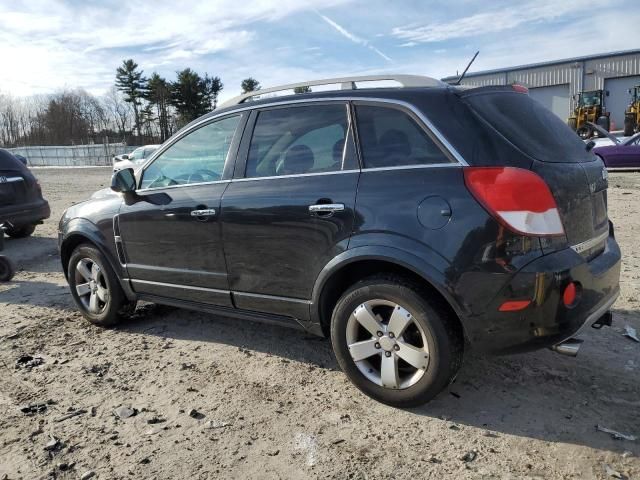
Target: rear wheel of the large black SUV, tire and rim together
(394, 344)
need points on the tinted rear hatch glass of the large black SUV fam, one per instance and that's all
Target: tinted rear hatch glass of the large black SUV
(528, 125)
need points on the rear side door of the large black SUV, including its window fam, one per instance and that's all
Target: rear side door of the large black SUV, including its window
(290, 207)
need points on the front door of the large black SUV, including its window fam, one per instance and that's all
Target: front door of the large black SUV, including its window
(171, 231)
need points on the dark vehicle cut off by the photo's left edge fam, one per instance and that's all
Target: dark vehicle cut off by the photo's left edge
(21, 204)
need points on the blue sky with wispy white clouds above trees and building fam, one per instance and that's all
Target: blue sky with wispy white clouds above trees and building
(50, 45)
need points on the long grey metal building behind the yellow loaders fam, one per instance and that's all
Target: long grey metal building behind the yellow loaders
(554, 84)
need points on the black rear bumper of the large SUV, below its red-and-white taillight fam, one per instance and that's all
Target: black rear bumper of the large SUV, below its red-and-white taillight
(547, 321)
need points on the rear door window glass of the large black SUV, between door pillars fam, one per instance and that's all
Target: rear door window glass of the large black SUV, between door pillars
(296, 140)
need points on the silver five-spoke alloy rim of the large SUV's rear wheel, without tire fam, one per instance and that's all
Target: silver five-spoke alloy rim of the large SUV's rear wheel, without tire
(387, 344)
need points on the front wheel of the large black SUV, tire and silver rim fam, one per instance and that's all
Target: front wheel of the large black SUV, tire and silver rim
(95, 287)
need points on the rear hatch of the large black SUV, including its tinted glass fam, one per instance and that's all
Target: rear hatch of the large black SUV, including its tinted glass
(576, 177)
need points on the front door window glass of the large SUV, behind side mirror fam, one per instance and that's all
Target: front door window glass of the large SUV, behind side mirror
(198, 157)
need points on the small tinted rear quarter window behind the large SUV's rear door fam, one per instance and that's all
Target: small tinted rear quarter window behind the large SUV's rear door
(390, 137)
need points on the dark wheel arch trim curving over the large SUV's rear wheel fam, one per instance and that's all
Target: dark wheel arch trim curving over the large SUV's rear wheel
(362, 262)
